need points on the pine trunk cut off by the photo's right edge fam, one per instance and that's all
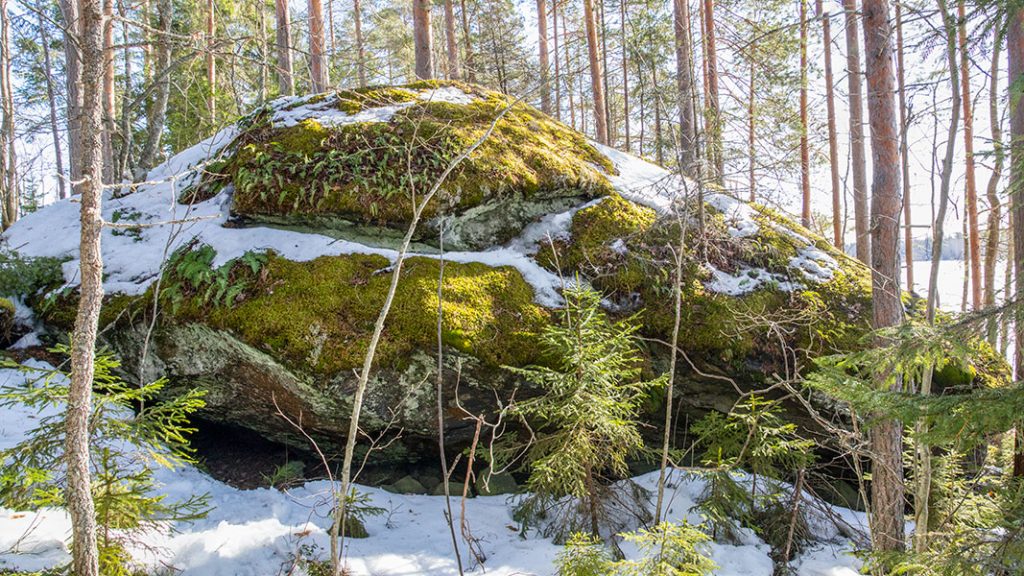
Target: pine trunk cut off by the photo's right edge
(1015, 53)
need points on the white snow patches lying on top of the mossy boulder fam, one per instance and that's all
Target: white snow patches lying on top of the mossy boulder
(134, 261)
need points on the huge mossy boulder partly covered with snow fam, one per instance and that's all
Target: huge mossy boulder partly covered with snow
(263, 282)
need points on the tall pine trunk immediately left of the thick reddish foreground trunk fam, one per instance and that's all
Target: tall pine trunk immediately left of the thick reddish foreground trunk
(860, 168)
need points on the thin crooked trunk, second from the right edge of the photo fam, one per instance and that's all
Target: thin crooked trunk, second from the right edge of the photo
(992, 192)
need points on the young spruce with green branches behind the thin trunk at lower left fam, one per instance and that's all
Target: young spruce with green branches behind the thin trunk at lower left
(131, 434)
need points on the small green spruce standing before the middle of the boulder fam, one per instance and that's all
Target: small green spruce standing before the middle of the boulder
(586, 419)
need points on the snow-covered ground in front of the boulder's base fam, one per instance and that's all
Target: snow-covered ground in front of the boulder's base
(261, 532)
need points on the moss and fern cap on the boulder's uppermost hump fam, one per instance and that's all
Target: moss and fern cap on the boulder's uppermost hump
(369, 173)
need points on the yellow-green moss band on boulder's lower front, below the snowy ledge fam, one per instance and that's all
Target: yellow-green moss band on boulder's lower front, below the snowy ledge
(319, 315)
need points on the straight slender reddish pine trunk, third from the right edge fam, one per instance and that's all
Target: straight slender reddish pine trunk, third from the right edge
(971, 187)
